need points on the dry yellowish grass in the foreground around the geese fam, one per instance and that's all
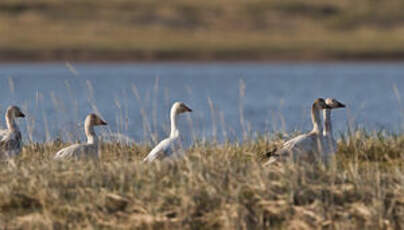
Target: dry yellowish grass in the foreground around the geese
(218, 186)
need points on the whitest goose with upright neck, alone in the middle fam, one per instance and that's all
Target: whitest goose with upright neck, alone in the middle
(169, 146)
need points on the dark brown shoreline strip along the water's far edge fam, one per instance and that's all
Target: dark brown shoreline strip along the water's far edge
(85, 56)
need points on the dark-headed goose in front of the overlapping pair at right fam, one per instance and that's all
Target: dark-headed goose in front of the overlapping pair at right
(304, 145)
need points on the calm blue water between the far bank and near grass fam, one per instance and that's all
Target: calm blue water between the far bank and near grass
(228, 99)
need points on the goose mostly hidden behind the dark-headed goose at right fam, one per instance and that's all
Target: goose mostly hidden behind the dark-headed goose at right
(330, 145)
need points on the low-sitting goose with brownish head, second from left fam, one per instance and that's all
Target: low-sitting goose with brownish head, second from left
(89, 149)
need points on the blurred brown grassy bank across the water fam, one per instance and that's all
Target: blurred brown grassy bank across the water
(200, 30)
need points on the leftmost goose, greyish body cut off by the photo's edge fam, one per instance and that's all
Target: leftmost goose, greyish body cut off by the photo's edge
(10, 138)
